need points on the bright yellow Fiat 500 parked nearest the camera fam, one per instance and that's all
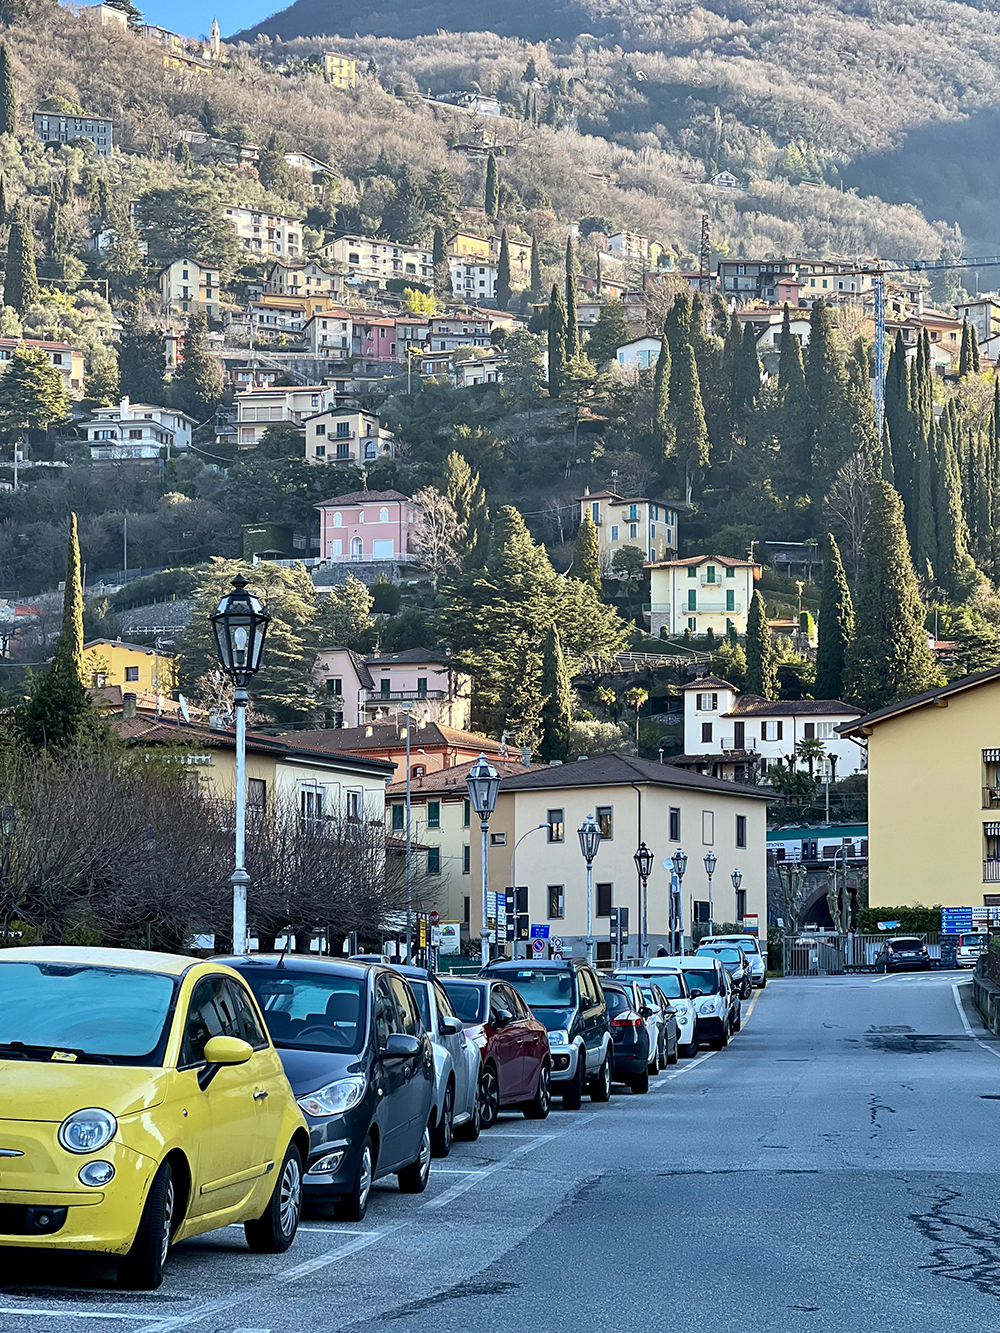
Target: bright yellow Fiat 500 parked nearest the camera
(142, 1103)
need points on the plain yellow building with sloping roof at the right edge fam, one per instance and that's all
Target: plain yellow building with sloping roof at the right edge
(934, 796)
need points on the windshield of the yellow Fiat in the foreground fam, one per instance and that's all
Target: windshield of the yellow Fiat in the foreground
(106, 1014)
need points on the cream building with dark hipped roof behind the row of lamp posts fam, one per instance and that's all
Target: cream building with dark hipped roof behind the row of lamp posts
(634, 800)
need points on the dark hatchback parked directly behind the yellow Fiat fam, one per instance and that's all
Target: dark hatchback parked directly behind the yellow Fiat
(361, 1066)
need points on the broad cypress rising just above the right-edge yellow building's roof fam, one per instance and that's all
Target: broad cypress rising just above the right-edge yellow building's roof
(890, 658)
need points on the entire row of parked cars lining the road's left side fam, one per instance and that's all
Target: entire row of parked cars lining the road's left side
(146, 1099)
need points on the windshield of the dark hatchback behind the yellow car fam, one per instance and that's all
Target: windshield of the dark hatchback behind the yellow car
(311, 1011)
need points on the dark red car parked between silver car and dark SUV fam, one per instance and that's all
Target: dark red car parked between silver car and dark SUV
(517, 1064)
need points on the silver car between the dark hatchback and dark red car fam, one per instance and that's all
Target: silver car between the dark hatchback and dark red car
(457, 1062)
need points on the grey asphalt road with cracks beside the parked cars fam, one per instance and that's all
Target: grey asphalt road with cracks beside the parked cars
(837, 1170)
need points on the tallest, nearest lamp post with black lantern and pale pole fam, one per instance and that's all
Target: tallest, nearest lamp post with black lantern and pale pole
(241, 626)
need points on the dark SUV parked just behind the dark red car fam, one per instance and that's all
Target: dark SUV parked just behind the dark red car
(567, 996)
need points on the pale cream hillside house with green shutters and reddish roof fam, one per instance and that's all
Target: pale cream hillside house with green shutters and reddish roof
(701, 594)
